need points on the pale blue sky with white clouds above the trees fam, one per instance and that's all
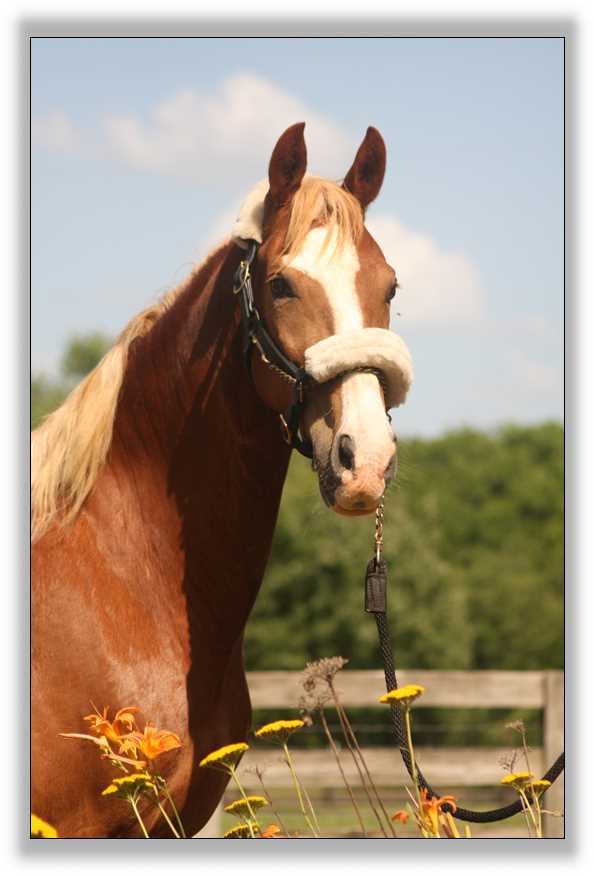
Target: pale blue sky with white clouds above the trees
(142, 150)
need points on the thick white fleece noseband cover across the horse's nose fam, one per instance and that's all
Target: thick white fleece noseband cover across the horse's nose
(364, 348)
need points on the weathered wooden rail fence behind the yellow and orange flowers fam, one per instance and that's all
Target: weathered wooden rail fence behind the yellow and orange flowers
(445, 768)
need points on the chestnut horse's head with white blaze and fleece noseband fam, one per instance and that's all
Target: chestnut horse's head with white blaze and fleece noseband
(322, 288)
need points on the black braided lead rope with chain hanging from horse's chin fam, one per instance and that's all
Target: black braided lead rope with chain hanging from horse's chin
(376, 585)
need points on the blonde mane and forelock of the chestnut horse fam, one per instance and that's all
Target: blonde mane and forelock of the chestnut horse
(70, 447)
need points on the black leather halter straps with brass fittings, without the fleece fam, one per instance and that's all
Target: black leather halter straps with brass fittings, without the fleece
(255, 332)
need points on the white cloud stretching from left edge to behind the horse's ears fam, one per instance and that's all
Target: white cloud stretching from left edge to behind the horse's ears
(217, 137)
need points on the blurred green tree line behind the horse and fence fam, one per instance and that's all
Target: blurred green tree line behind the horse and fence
(473, 538)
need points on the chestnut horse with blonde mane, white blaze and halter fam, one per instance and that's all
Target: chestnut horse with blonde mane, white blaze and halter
(156, 485)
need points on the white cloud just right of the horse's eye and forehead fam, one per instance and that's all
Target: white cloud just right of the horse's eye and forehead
(437, 285)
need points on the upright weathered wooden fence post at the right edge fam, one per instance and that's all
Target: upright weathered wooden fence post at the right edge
(554, 744)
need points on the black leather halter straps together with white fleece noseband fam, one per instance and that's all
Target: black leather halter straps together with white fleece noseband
(368, 349)
